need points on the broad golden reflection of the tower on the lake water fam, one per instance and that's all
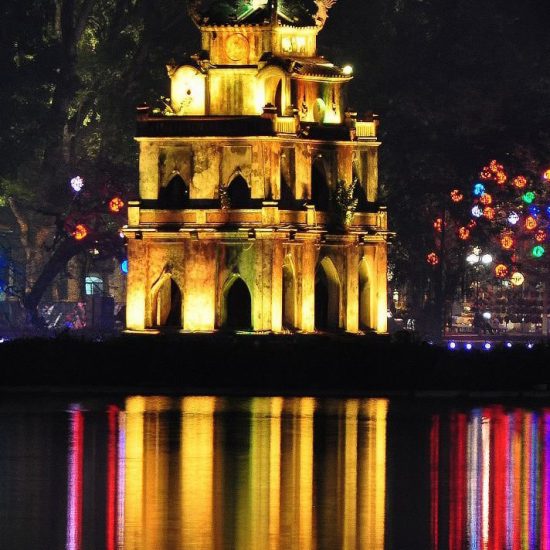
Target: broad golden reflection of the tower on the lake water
(272, 473)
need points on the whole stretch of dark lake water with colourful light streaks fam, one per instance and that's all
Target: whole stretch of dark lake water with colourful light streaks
(209, 473)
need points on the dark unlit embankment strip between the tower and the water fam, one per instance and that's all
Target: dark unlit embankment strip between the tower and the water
(267, 365)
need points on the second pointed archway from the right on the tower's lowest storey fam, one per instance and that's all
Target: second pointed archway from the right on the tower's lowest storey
(327, 296)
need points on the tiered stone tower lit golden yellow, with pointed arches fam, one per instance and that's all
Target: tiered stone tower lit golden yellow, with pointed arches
(243, 182)
